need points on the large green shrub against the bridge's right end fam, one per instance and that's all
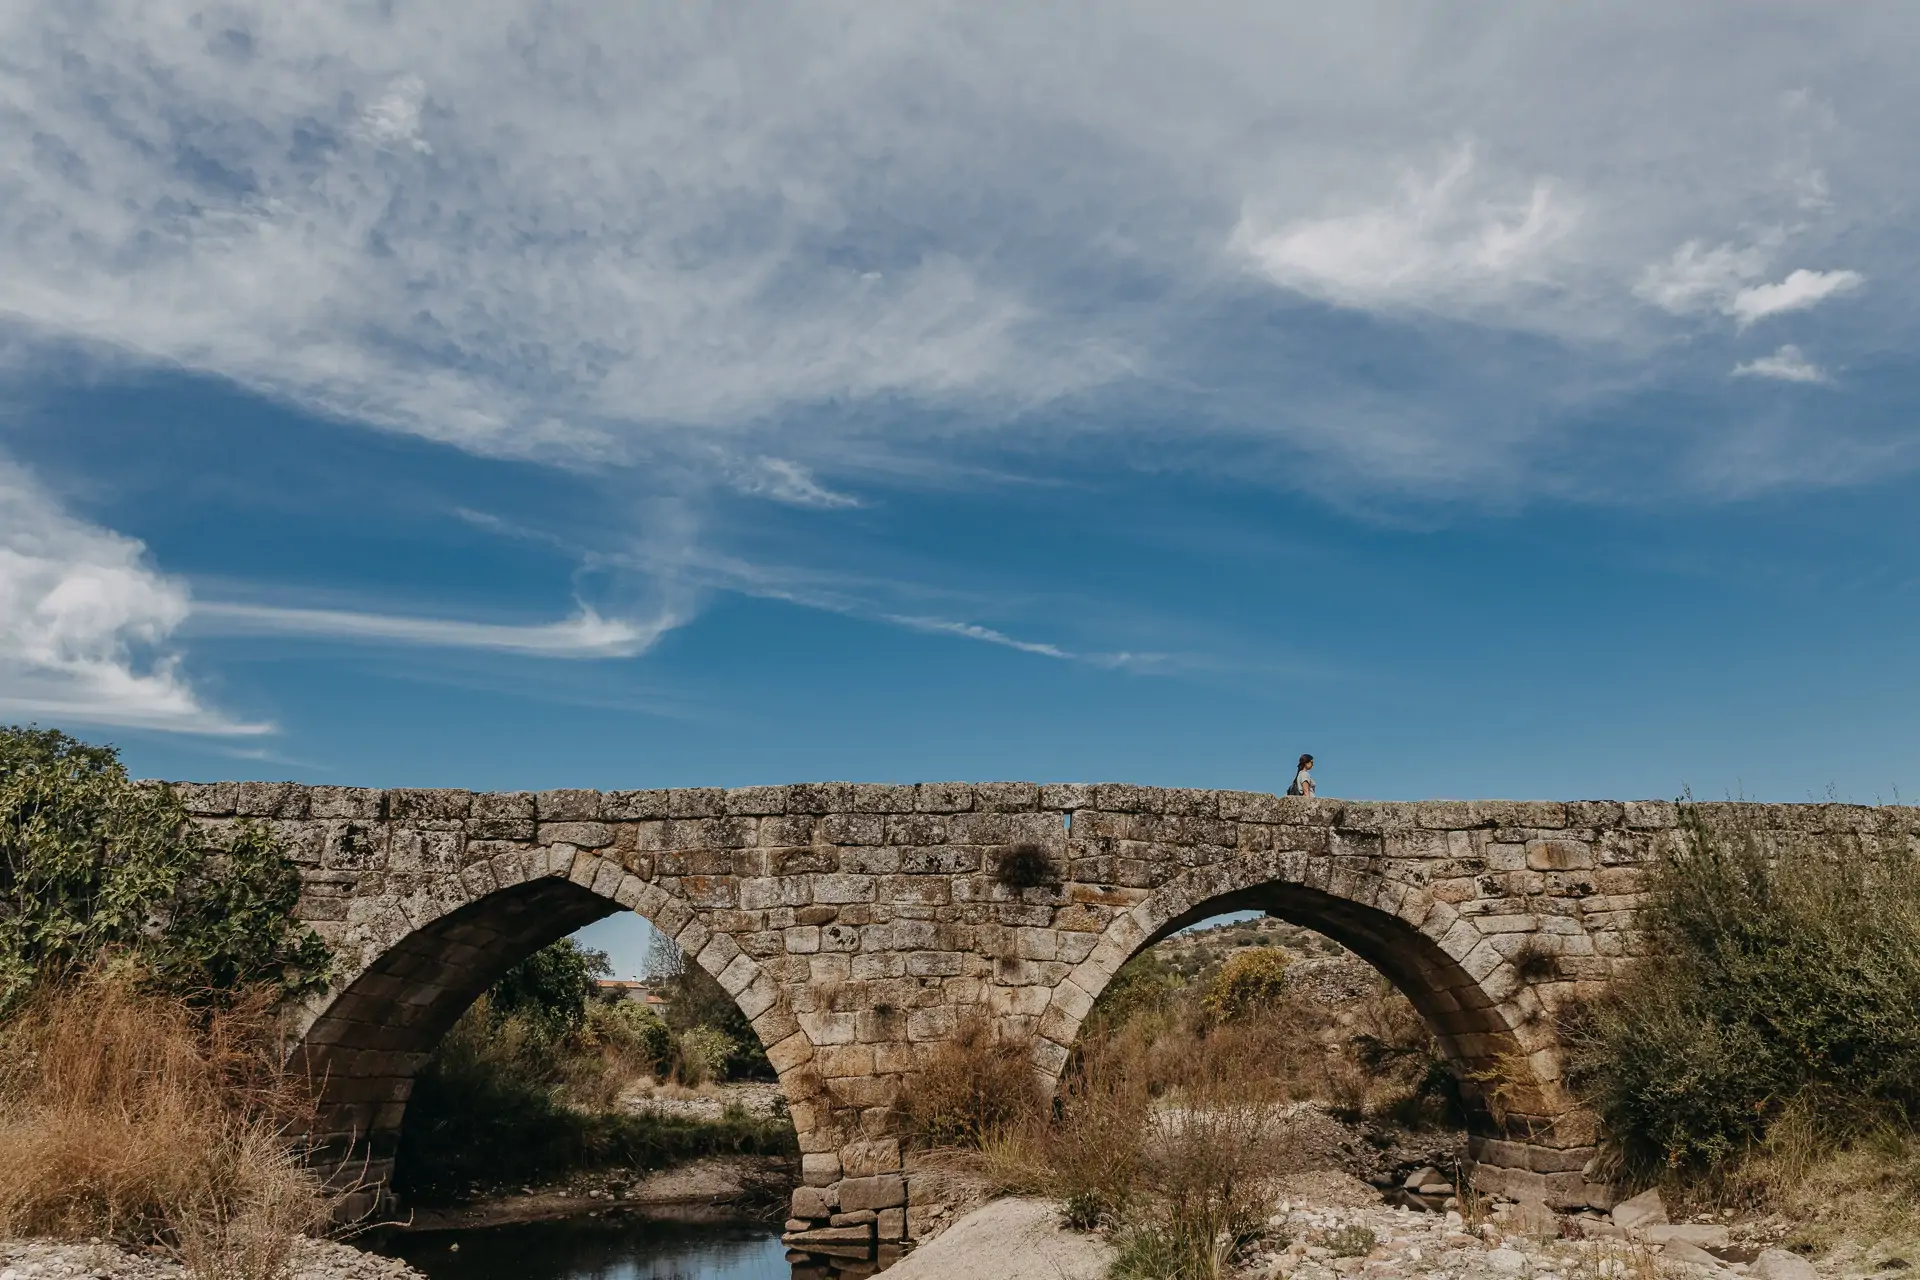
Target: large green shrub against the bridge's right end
(1777, 978)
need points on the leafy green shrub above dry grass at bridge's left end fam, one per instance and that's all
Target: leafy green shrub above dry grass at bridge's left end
(95, 865)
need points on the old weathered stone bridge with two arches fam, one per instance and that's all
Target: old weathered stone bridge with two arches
(857, 926)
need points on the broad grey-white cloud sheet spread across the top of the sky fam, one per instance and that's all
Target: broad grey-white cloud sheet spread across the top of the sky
(852, 235)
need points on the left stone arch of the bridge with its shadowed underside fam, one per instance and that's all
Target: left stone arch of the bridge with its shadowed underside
(425, 959)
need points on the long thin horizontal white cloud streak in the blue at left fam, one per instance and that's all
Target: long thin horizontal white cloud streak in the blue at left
(583, 636)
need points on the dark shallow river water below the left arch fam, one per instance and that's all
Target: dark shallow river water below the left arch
(598, 1250)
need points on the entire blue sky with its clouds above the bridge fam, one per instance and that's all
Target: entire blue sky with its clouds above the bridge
(1491, 400)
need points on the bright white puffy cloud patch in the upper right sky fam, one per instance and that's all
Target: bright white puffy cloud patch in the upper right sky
(1445, 243)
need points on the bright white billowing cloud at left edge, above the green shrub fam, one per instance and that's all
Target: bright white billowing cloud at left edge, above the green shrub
(85, 623)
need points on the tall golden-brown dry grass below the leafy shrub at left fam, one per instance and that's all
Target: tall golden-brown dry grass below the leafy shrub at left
(128, 1116)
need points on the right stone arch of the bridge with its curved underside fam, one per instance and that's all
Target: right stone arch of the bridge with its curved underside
(1527, 1135)
